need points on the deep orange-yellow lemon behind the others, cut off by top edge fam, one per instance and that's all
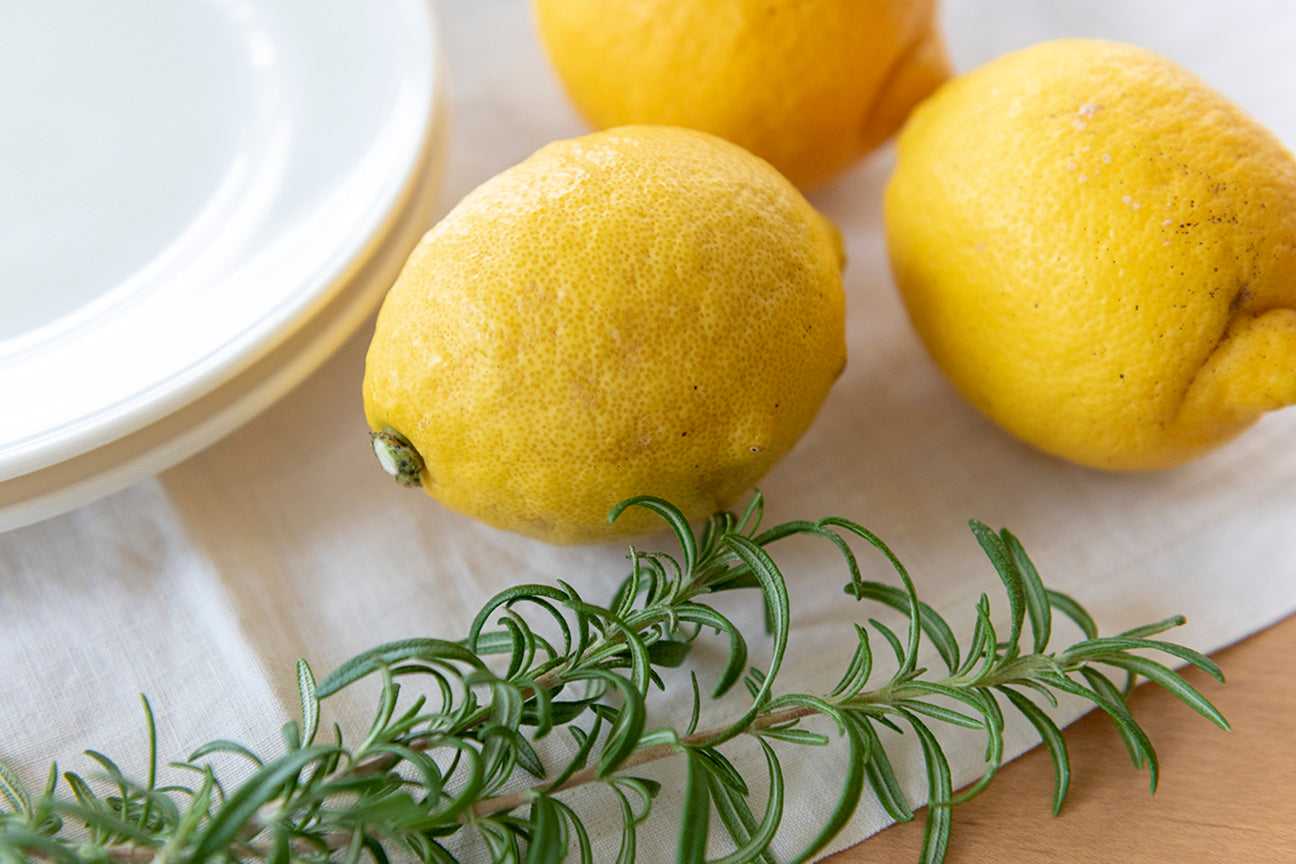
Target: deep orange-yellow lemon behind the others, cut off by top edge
(811, 86)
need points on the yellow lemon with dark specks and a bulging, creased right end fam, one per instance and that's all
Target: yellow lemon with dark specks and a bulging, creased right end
(1101, 253)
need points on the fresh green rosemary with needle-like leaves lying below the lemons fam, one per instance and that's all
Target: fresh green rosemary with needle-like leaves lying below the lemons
(459, 760)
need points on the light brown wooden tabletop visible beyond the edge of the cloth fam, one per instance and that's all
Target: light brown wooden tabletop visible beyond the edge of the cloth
(1225, 797)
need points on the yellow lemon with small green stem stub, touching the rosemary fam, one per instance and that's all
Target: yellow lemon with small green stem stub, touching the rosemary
(640, 312)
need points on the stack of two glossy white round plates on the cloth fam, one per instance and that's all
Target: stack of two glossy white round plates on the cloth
(196, 199)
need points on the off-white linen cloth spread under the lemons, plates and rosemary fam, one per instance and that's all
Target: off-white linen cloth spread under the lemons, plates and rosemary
(203, 586)
